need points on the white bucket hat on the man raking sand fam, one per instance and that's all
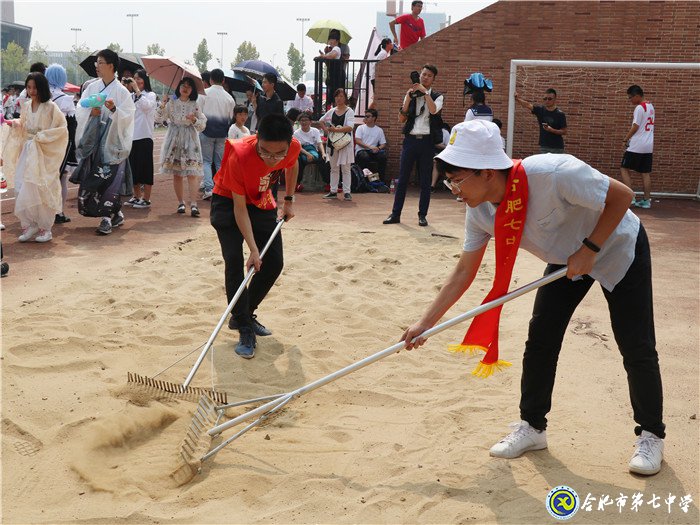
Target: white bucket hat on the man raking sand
(476, 144)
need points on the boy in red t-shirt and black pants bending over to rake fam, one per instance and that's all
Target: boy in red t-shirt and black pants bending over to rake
(244, 209)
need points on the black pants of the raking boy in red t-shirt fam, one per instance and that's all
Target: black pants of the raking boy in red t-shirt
(231, 240)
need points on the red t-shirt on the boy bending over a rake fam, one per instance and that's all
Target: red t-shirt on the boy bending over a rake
(243, 172)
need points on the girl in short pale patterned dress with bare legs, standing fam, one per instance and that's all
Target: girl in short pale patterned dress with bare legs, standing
(181, 155)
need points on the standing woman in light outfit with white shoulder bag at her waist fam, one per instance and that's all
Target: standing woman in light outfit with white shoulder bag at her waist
(340, 119)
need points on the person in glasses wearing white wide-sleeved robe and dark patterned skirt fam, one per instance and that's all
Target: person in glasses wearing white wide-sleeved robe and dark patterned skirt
(109, 127)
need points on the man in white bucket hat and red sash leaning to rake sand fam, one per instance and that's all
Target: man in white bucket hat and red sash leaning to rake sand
(571, 216)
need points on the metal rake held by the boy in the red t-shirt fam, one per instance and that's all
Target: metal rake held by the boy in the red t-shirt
(184, 389)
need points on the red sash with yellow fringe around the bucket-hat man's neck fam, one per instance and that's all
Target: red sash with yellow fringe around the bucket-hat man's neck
(508, 230)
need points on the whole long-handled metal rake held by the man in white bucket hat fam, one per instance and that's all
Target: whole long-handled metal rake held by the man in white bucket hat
(196, 447)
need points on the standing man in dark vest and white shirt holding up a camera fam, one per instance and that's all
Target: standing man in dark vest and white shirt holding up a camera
(421, 115)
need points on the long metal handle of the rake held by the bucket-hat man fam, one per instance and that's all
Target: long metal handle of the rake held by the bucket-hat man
(388, 351)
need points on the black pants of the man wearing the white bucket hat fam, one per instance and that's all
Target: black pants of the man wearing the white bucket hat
(632, 318)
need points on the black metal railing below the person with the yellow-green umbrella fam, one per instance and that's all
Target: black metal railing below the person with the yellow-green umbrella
(352, 74)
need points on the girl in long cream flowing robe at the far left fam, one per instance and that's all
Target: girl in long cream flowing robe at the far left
(34, 147)
